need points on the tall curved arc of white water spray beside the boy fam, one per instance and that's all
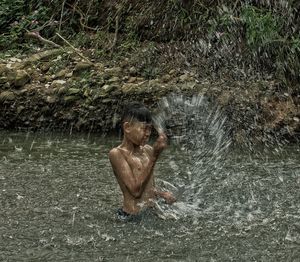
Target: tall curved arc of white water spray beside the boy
(198, 129)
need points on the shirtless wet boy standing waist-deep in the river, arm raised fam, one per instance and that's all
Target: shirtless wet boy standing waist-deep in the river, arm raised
(133, 161)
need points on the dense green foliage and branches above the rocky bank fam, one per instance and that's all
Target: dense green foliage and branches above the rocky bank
(263, 34)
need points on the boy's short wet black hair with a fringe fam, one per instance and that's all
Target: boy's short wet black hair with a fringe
(136, 111)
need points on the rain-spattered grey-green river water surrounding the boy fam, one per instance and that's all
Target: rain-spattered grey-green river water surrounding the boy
(58, 199)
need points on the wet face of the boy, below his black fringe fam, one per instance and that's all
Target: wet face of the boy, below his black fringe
(138, 132)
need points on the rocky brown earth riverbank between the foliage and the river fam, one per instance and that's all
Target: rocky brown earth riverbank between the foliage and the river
(58, 89)
